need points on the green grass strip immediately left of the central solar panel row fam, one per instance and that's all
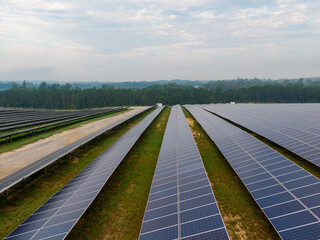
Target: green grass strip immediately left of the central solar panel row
(118, 211)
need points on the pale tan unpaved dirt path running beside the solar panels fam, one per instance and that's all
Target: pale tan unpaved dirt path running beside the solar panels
(25, 155)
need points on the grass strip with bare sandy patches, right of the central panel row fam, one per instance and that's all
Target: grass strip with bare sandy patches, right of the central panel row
(241, 214)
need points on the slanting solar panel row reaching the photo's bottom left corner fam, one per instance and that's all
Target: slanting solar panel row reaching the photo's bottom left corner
(56, 218)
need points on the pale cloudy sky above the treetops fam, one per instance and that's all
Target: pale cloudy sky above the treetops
(146, 40)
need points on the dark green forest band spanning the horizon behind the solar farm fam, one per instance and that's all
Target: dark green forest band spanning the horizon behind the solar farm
(66, 96)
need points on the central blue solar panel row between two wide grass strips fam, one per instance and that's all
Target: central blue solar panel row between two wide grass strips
(181, 203)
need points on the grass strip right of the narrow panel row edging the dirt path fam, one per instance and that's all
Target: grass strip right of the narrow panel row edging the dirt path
(31, 194)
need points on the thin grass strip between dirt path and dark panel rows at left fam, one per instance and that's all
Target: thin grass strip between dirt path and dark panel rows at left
(21, 139)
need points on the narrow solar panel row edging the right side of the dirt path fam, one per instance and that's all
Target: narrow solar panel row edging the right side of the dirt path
(18, 176)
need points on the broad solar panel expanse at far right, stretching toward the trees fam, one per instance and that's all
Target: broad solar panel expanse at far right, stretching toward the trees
(295, 127)
